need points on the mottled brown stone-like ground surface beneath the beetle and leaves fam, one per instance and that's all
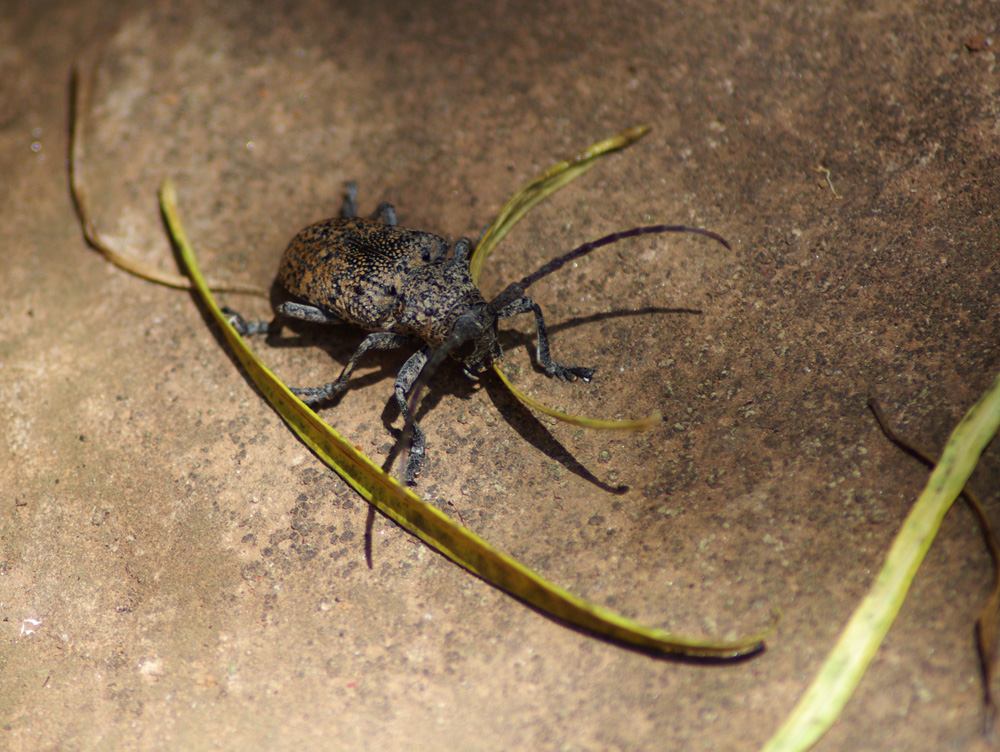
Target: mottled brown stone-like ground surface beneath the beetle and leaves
(177, 571)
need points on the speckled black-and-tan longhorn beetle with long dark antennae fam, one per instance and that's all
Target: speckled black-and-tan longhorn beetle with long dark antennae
(400, 285)
